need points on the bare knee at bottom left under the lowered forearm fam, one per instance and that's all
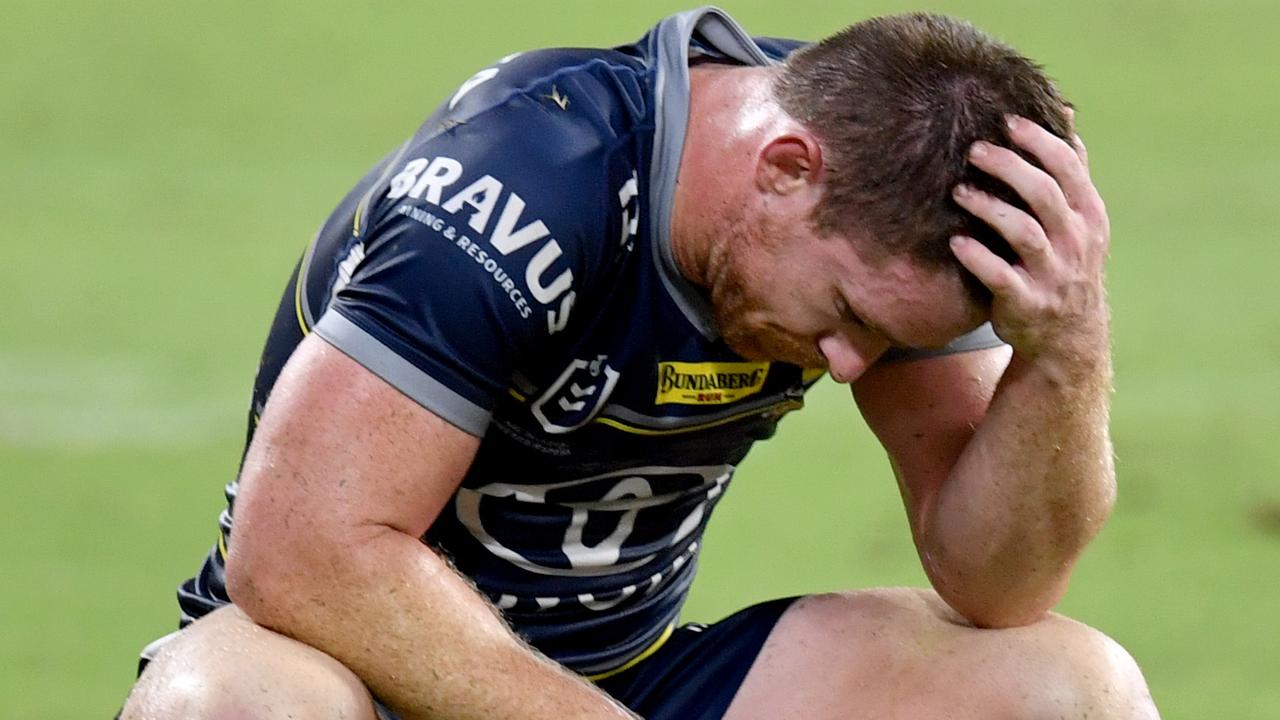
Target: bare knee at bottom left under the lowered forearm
(227, 667)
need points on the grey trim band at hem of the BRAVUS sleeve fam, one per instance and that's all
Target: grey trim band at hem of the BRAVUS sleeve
(403, 375)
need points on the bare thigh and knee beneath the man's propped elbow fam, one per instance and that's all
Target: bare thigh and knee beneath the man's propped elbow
(902, 653)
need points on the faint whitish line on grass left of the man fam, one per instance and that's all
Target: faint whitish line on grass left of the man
(75, 403)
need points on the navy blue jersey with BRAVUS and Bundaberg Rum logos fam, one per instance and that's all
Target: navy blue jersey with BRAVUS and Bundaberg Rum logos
(510, 268)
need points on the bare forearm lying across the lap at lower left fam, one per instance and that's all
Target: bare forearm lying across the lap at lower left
(418, 635)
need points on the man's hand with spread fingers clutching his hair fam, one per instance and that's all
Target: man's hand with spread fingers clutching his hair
(1052, 306)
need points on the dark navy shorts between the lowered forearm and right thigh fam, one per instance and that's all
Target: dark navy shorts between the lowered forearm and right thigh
(696, 675)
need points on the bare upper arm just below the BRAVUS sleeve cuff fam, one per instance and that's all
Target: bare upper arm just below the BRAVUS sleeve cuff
(340, 453)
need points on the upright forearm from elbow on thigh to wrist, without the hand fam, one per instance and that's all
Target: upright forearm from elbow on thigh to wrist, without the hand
(1030, 491)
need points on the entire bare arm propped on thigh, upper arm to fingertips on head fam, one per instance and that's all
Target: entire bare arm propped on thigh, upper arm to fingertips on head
(1007, 484)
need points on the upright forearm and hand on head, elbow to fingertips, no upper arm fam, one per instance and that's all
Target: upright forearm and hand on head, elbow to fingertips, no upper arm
(1036, 481)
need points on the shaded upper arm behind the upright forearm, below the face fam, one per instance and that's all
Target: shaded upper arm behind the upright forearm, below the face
(925, 412)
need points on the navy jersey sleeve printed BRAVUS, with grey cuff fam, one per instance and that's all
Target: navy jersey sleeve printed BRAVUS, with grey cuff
(481, 240)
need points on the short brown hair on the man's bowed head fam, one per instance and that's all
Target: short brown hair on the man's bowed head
(897, 103)
